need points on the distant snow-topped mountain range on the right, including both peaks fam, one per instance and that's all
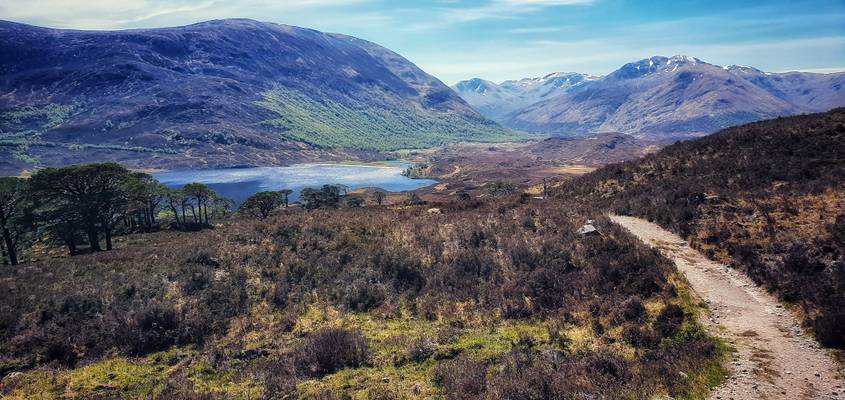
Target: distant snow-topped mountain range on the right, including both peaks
(658, 97)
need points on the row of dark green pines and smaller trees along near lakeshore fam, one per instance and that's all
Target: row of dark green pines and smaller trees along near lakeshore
(83, 207)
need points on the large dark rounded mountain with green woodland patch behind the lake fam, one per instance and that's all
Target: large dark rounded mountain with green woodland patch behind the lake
(221, 92)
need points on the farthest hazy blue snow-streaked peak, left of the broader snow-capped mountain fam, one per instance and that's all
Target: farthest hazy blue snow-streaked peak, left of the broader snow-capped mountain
(495, 101)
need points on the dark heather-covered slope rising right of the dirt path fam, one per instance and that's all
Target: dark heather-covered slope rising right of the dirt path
(766, 198)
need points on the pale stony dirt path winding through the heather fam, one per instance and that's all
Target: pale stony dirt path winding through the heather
(774, 359)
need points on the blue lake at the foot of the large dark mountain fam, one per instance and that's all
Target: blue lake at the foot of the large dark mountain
(239, 183)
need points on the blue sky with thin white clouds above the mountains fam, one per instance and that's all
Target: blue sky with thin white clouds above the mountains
(510, 39)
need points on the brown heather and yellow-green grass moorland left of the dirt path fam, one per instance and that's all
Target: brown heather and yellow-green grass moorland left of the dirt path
(494, 298)
